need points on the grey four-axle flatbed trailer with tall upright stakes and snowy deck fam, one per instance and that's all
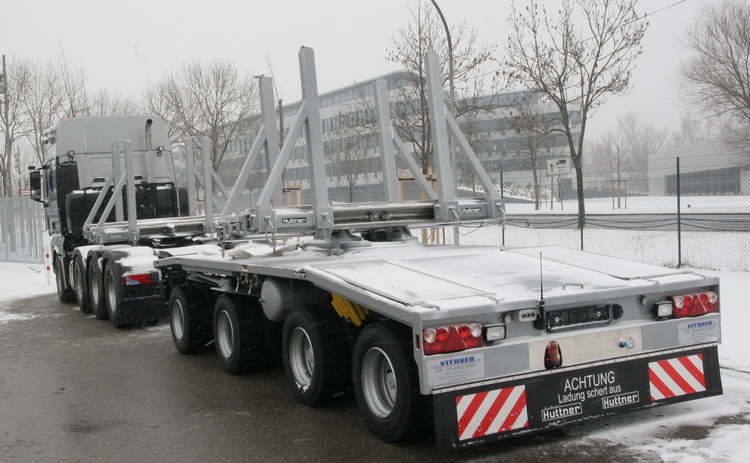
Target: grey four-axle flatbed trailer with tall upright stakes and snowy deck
(477, 343)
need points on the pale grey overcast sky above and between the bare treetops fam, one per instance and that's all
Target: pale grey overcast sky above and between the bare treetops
(127, 45)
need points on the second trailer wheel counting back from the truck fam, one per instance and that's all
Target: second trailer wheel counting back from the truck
(238, 331)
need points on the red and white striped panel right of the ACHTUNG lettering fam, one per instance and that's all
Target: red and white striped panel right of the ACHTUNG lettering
(676, 377)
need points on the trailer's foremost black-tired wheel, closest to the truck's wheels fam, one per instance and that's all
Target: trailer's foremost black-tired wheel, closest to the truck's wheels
(189, 318)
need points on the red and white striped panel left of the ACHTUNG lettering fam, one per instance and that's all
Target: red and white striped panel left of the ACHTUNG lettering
(491, 412)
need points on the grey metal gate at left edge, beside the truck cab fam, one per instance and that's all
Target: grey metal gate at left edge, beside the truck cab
(21, 225)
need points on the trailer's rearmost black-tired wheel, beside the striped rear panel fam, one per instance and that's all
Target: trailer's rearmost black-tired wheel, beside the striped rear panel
(386, 383)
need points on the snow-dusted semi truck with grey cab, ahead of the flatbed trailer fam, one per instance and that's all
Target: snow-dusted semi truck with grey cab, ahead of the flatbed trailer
(92, 246)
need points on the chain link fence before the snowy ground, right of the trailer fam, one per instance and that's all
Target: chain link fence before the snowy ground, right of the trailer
(697, 219)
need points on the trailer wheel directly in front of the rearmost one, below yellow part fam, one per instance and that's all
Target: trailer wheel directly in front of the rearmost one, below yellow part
(315, 355)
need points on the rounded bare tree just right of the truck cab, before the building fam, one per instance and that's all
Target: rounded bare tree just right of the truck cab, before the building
(211, 100)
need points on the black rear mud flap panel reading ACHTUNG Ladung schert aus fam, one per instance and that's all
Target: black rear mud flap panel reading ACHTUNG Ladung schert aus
(542, 401)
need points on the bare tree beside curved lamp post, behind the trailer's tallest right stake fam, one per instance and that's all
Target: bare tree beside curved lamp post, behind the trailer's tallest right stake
(425, 33)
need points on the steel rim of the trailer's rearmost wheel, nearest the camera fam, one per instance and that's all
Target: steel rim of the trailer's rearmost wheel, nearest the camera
(379, 382)
